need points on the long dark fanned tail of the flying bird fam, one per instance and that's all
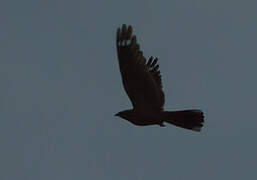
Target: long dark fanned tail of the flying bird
(188, 119)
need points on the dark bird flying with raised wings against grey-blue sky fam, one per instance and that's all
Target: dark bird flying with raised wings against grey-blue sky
(142, 82)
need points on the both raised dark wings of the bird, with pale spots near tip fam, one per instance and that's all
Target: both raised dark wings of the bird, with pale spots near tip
(141, 79)
